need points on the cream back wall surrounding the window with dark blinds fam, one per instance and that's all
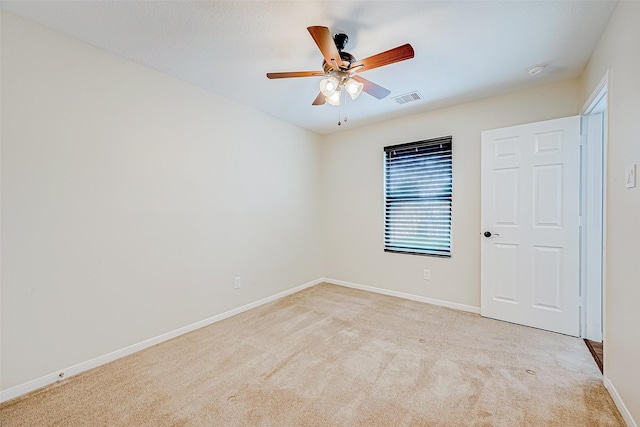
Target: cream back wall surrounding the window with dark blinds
(352, 182)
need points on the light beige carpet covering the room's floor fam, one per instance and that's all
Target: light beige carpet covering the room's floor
(336, 356)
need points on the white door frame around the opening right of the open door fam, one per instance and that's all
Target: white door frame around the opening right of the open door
(592, 106)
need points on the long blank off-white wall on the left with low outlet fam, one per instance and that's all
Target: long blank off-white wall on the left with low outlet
(130, 200)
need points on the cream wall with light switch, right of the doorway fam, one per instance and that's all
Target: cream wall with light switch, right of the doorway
(618, 52)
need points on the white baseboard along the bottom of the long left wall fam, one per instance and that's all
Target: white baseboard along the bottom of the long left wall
(51, 378)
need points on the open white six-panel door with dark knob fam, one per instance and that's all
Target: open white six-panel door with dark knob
(530, 224)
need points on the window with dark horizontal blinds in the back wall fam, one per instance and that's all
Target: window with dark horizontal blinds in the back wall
(418, 194)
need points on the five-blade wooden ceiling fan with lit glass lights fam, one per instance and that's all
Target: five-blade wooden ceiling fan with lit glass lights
(340, 68)
